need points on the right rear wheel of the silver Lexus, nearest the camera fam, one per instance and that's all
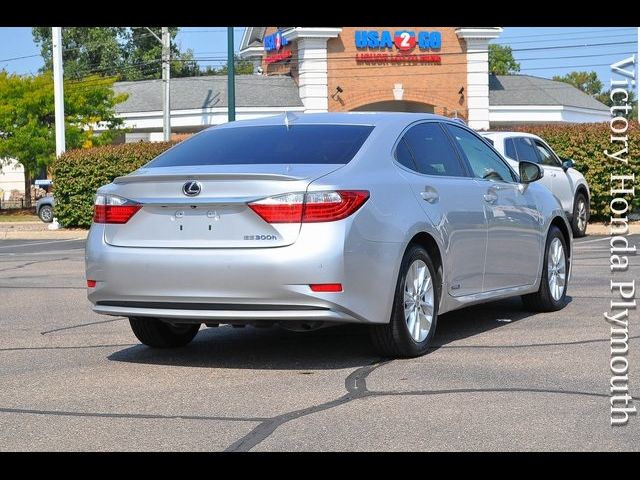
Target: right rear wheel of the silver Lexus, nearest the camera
(395, 339)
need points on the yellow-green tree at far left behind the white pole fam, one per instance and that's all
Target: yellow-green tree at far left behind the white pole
(27, 118)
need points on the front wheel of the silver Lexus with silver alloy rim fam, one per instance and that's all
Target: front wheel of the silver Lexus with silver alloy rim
(550, 298)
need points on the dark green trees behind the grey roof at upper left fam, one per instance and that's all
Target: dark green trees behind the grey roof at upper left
(128, 53)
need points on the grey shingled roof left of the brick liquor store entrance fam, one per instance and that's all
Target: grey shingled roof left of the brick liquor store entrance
(209, 92)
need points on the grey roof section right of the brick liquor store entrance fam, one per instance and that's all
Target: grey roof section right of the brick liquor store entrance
(507, 90)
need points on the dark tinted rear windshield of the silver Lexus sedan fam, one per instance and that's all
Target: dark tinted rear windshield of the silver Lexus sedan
(324, 144)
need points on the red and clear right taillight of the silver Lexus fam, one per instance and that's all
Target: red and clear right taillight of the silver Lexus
(310, 207)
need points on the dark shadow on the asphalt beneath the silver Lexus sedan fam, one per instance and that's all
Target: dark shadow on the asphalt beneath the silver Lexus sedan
(345, 346)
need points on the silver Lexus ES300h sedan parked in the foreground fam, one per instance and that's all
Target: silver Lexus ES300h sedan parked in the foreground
(310, 220)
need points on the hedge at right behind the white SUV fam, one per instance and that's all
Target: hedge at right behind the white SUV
(585, 144)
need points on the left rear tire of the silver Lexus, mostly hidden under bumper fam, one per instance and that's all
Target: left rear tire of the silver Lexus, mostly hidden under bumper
(158, 334)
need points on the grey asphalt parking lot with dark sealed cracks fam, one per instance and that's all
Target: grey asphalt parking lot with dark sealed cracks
(498, 378)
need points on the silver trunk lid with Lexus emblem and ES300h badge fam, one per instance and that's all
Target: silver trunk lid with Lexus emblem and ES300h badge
(217, 217)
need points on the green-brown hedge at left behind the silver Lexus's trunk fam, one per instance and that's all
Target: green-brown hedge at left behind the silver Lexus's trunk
(77, 174)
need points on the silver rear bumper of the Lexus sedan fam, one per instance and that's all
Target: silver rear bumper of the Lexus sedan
(266, 284)
